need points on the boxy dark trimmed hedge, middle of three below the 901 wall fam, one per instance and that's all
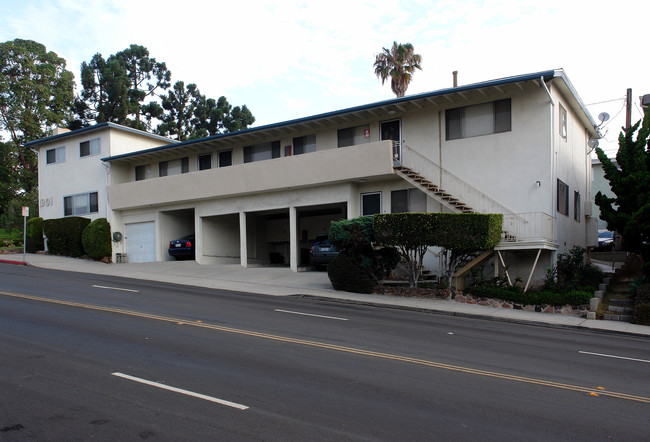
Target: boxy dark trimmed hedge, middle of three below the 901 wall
(64, 235)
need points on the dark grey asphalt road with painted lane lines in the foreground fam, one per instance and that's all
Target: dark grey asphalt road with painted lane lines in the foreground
(87, 357)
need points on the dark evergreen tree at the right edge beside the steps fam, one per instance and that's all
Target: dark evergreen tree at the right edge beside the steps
(629, 211)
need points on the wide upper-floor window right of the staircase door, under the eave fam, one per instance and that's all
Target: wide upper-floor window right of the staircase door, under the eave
(480, 119)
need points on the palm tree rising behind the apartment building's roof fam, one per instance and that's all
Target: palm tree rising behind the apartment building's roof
(398, 63)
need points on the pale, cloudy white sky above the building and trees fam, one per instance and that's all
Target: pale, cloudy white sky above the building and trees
(291, 59)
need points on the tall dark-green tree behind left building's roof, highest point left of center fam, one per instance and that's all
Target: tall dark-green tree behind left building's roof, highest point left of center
(120, 88)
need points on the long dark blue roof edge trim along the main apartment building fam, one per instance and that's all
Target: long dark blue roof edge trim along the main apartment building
(546, 75)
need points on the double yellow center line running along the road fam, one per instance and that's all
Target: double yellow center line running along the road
(327, 346)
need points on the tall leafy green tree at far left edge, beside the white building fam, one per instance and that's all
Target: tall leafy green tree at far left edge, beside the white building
(36, 94)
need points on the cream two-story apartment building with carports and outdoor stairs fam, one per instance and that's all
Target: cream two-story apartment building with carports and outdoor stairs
(516, 146)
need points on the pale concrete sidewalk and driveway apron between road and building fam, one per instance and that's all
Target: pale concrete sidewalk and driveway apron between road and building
(281, 281)
